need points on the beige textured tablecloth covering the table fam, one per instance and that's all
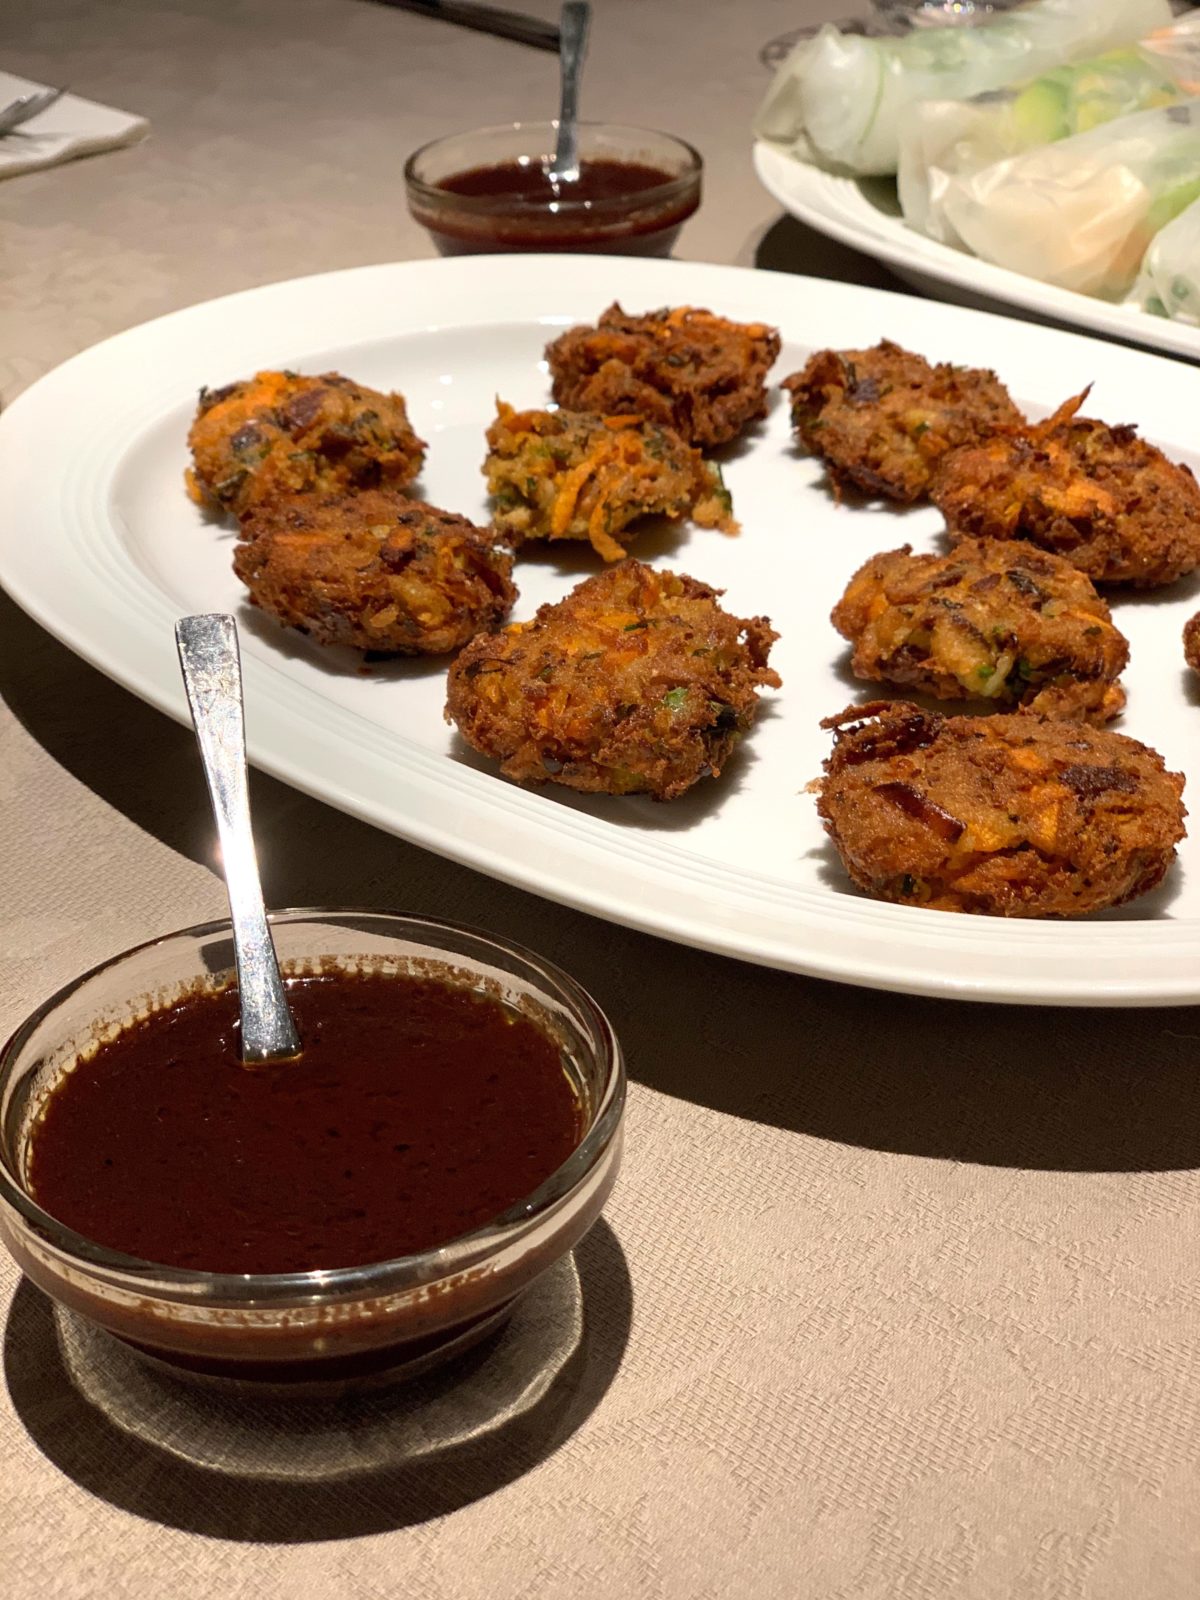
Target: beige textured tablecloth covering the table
(895, 1298)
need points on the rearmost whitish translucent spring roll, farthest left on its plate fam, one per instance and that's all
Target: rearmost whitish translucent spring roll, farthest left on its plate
(839, 98)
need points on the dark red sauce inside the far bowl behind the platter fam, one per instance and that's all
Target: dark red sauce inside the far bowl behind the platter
(615, 207)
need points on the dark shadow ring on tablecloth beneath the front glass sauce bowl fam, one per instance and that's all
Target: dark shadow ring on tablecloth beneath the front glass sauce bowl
(292, 1473)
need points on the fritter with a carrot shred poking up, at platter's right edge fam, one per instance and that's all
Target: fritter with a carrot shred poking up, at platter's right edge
(1103, 498)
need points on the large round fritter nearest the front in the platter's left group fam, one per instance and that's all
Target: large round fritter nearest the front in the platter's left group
(636, 684)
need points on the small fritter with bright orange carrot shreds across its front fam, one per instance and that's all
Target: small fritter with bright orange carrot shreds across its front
(575, 476)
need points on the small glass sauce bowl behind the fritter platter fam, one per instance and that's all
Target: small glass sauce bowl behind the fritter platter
(639, 223)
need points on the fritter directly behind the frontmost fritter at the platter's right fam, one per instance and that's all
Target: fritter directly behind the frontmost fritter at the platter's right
(994, 622)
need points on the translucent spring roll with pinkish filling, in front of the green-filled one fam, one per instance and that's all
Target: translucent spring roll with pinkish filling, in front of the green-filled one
(1081, 214)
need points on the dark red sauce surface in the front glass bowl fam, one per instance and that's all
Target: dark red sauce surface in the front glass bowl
(417, 1113)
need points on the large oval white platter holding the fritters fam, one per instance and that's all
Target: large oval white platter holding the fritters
(102, 545)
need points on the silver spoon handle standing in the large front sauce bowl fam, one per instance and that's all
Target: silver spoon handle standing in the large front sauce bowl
(212, 670)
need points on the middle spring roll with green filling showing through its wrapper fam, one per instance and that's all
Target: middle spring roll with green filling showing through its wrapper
(943, 140)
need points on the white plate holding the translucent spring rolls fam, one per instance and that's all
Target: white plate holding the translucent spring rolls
(865, 214)
